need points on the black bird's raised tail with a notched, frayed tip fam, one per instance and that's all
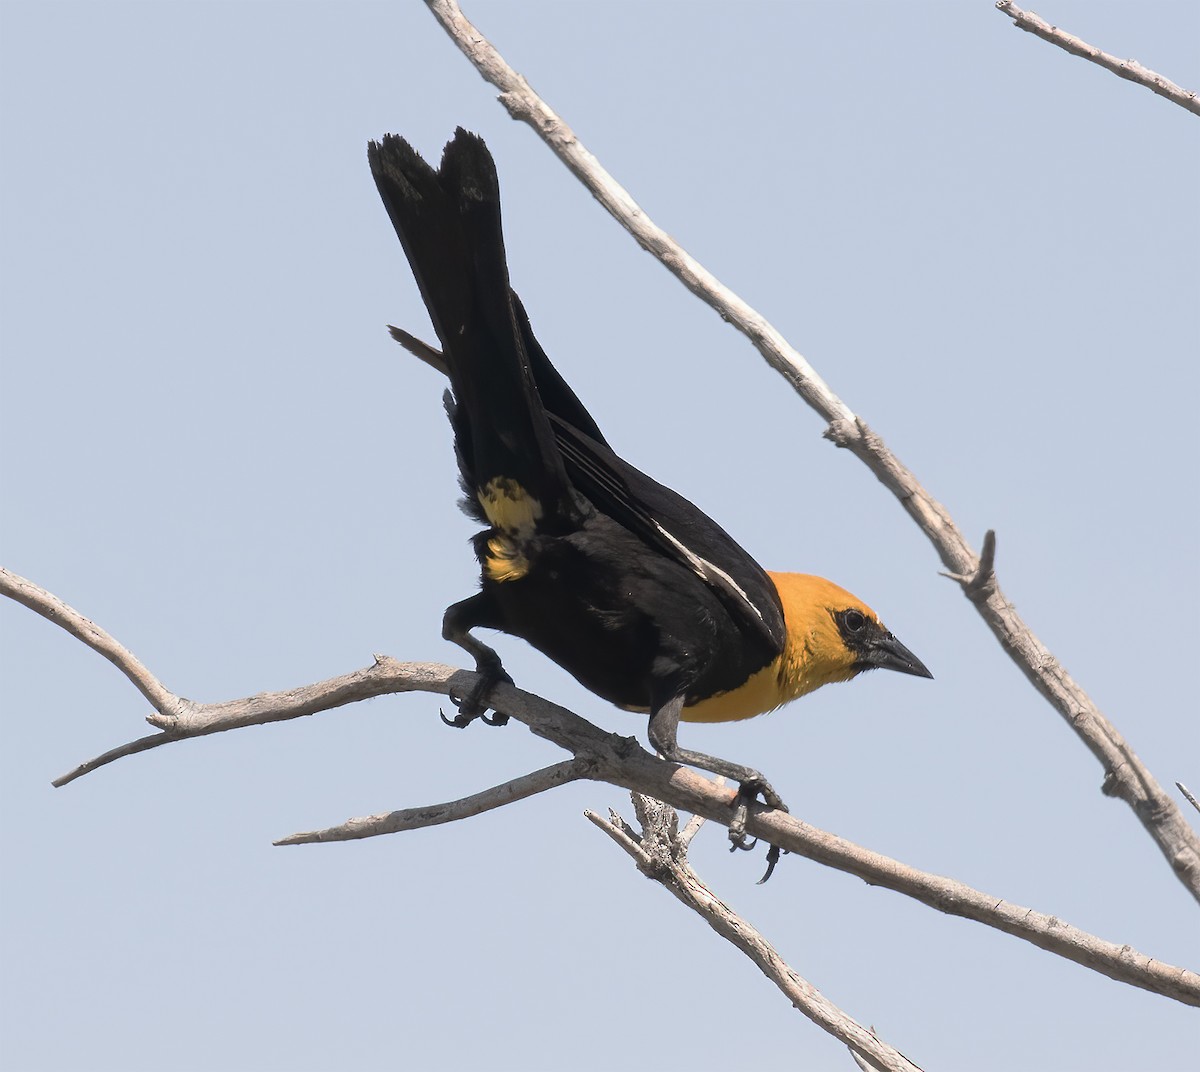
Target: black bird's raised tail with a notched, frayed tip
(449, 224)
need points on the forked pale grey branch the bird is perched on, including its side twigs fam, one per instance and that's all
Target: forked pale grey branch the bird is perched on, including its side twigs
(599, 757)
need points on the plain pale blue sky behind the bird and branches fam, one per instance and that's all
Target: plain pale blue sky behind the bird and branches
(212, 448)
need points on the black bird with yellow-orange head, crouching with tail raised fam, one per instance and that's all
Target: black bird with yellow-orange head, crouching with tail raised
(622, 582)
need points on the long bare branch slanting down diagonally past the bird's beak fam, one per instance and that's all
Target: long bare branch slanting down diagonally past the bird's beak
(1125, 775)
